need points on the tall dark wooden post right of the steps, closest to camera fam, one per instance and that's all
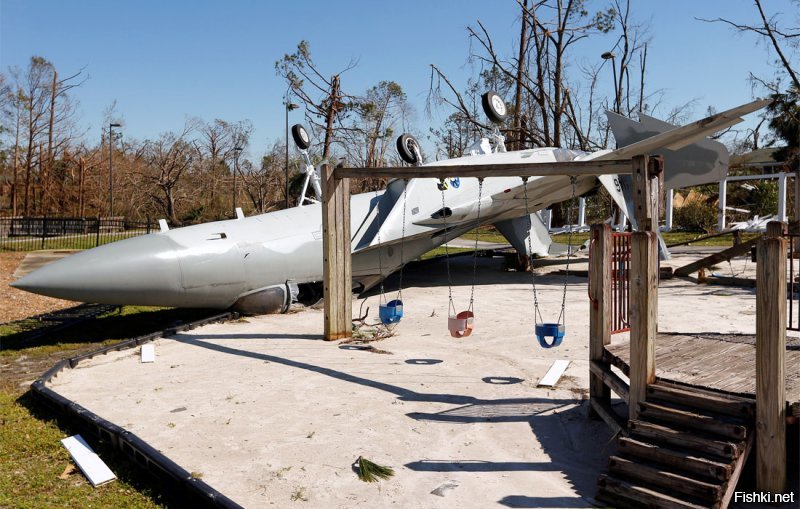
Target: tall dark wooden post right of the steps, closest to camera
(770, 365)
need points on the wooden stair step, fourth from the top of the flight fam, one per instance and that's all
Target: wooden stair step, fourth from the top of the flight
(676, 460)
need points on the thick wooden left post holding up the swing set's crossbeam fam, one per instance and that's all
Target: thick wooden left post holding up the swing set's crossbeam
(336, 269)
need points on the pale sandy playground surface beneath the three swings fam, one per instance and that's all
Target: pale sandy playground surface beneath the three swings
(269, 414)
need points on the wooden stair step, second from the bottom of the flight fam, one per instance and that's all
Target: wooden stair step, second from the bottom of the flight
(648, 474)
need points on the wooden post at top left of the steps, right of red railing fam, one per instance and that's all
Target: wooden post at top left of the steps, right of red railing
(643, 315)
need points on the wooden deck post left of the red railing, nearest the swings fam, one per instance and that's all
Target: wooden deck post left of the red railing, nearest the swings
(599, 308)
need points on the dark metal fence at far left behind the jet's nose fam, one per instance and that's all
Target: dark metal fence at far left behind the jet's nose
(34, 233)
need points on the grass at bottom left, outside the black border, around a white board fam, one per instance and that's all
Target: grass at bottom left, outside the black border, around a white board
(31, 453)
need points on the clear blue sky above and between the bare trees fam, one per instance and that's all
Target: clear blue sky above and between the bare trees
(165, 61)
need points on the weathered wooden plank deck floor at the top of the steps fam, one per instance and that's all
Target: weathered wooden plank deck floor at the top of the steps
(721, 362)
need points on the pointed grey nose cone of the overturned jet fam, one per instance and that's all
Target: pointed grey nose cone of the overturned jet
(130, 271)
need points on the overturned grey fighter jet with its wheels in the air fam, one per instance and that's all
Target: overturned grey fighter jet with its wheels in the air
(255, 264)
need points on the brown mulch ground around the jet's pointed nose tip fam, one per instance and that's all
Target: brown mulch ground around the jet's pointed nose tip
(16, 304)
